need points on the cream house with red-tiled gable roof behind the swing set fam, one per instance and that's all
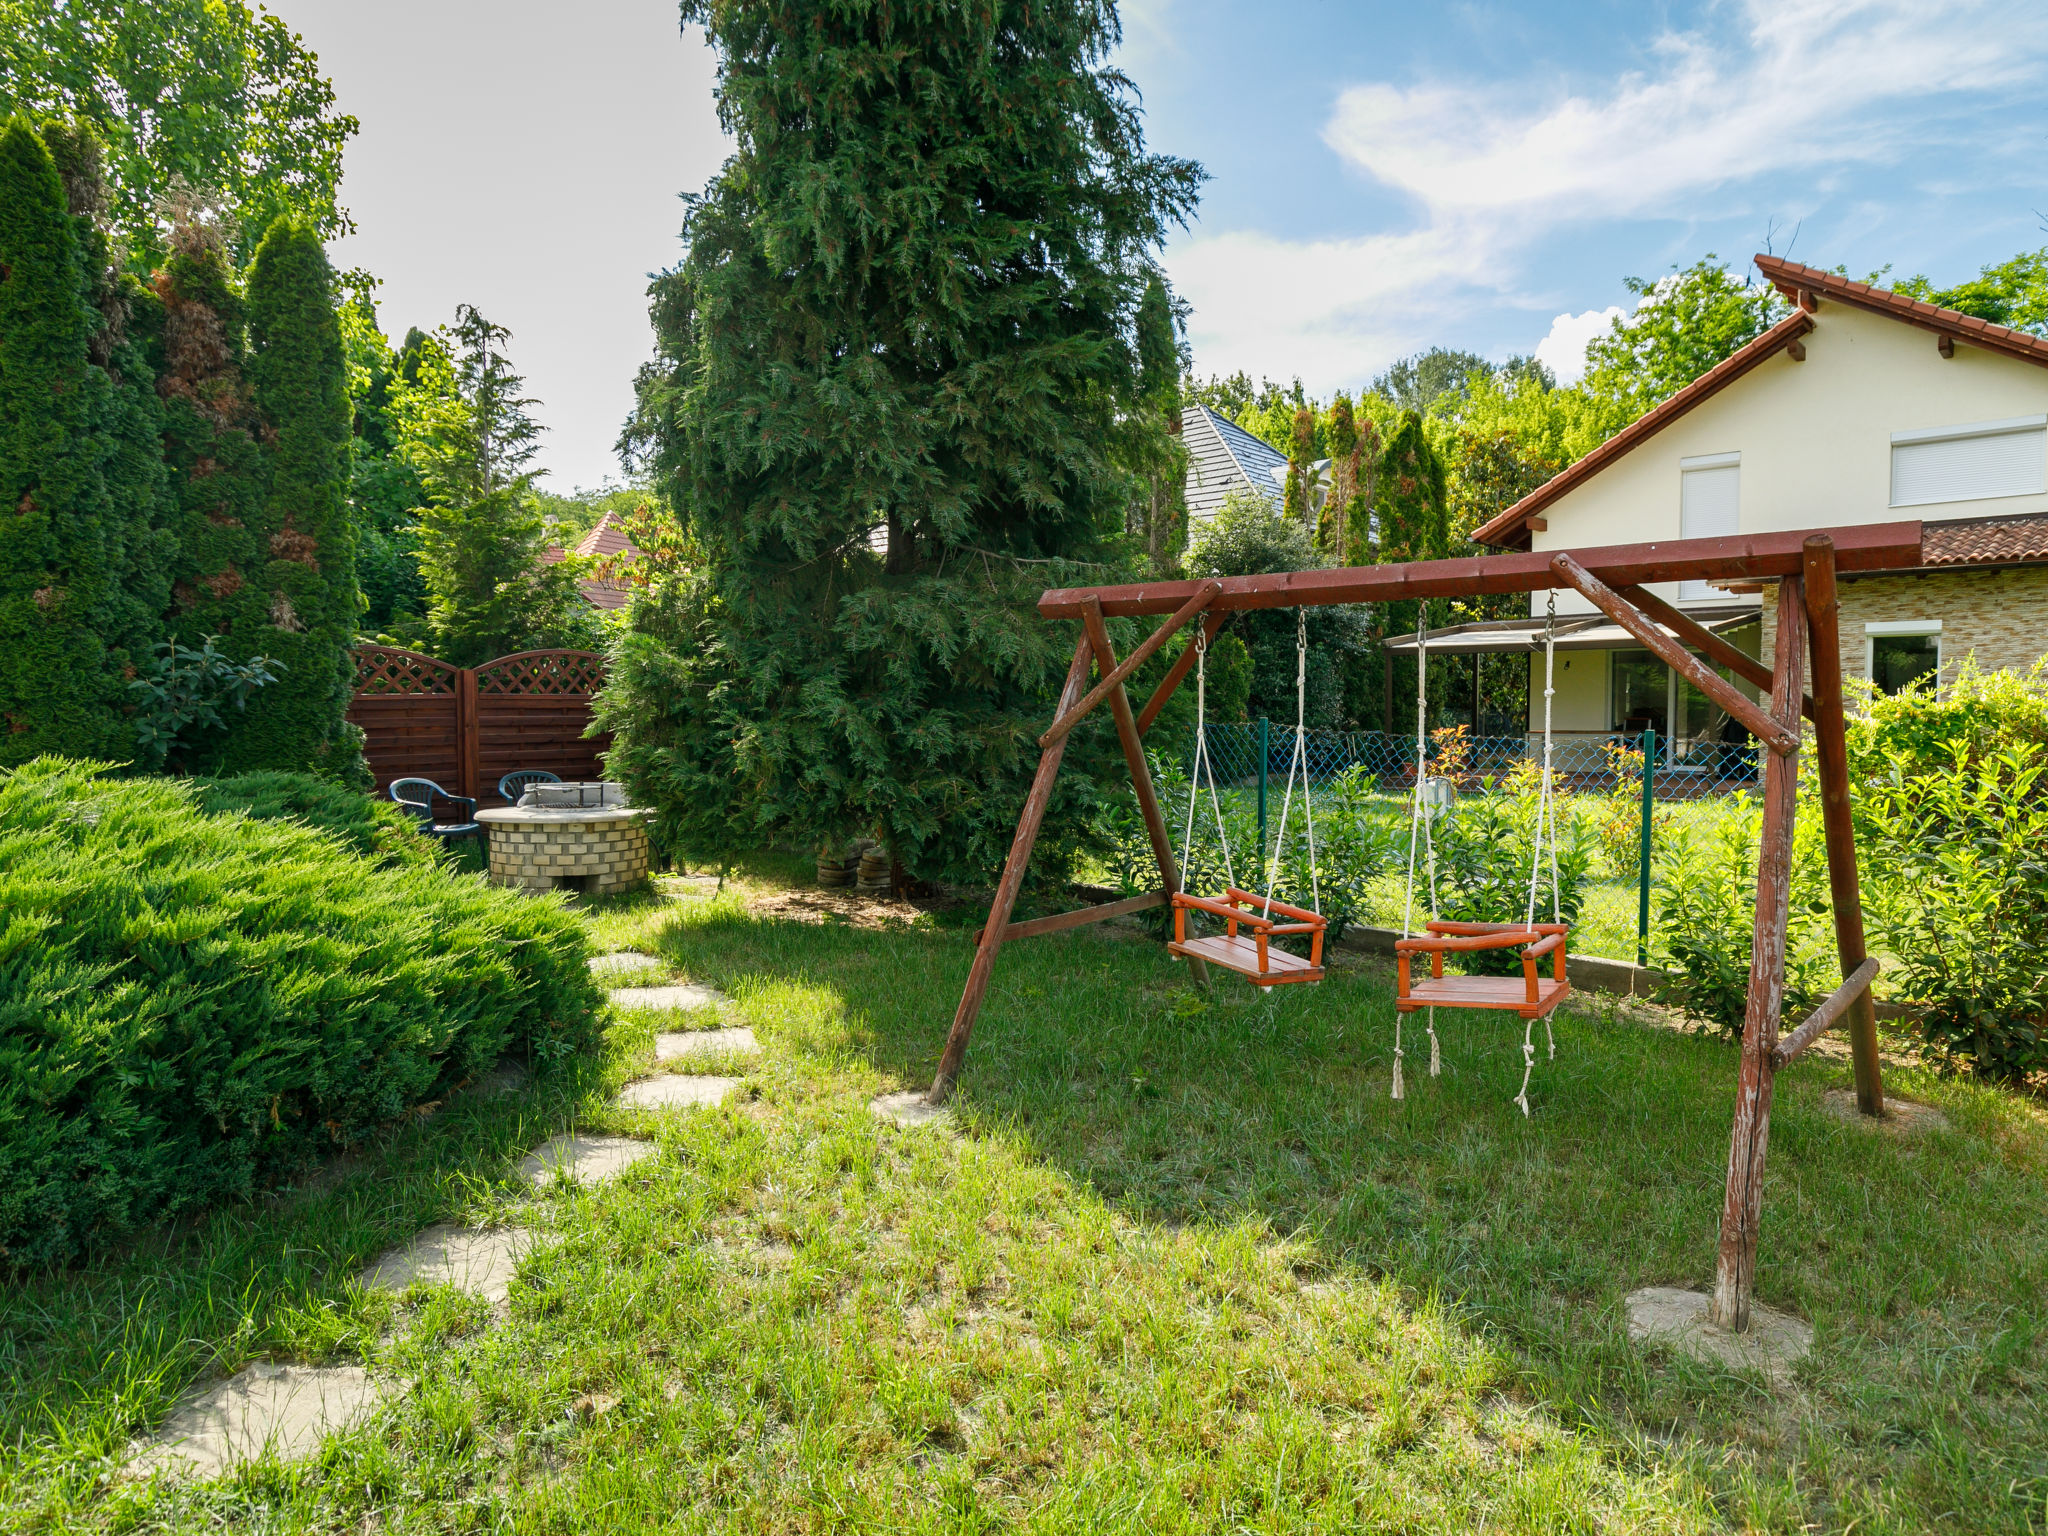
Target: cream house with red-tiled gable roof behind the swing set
(1861, 407)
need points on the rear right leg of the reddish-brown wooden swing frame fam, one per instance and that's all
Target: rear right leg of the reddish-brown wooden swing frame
(1832, 751)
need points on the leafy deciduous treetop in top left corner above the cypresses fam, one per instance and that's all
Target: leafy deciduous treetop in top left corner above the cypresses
(187, 93)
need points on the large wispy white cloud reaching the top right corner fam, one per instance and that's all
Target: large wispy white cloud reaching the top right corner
(1807, 85)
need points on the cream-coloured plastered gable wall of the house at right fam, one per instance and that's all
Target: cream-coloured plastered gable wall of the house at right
(1816, 439)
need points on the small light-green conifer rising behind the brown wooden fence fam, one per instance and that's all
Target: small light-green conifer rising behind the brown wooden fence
(468, 431)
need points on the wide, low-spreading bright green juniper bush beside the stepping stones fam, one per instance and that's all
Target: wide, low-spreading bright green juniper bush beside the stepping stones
(196, 1005)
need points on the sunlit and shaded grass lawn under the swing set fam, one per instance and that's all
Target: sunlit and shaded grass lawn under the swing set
(1177, 1265)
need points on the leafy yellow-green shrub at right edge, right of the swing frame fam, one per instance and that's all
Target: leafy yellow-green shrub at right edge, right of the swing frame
(1957, 878)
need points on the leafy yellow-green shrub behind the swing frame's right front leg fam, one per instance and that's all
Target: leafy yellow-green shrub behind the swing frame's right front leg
(1705, 884)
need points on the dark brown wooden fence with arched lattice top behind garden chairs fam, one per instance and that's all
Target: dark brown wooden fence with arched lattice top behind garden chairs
(466, 728)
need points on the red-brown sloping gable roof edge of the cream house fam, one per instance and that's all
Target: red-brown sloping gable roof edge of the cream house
(1807, 288)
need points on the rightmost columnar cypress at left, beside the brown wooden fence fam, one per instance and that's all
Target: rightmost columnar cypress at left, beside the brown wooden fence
(302, 579)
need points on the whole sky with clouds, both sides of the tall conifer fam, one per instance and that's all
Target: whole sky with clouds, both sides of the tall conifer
(1385, 177)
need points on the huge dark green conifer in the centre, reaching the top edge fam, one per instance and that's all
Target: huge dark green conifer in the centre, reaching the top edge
(906, 316)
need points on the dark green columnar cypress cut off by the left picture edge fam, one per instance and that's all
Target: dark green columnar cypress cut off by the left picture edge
(58, 689)
